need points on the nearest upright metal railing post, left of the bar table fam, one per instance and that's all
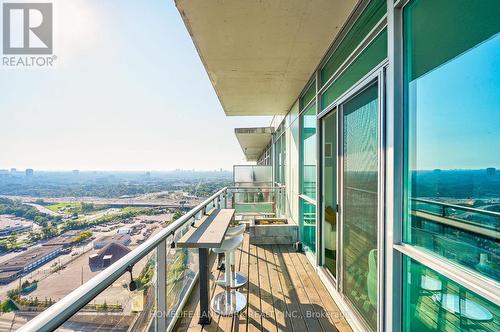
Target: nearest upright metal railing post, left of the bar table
(161, 288)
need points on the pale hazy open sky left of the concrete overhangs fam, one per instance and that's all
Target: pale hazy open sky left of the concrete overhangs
(129, 92)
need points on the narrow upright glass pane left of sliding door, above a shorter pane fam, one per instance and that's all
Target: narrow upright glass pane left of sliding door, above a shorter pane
(308, 133)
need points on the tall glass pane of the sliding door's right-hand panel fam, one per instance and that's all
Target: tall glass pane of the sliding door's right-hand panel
(360, 183)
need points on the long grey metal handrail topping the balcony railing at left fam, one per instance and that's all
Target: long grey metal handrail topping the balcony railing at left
(61, 311)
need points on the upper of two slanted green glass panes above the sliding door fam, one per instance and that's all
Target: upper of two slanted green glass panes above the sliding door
(372, 14)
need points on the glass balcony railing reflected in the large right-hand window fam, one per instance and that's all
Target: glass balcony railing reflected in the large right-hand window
(464, 235)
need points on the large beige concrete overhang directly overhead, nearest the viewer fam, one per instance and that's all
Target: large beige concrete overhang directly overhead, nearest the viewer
(259, 54)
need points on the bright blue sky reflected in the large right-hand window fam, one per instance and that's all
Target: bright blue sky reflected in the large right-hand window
(458, 117)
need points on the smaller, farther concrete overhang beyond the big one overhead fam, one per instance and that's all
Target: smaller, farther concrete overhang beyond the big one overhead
(253, 141)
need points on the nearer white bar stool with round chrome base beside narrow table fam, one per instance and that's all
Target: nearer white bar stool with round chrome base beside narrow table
(230, 302)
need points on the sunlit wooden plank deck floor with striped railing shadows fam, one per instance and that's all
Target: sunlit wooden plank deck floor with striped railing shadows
(284, 293)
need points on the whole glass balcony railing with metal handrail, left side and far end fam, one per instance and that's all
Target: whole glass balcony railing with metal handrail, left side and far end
(147, 288)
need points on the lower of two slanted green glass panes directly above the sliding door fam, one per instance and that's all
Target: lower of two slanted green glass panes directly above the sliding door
(375, 53)
